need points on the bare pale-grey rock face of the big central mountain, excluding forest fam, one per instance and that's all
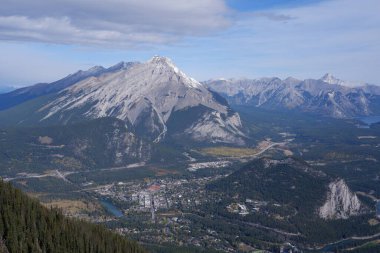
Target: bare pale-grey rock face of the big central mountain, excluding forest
(147, 94)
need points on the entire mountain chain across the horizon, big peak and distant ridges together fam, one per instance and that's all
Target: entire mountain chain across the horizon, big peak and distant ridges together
(158, 101)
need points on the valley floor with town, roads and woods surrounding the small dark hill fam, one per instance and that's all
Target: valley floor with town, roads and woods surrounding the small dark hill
(169, 203)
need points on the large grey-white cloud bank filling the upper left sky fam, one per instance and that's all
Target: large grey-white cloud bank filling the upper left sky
(114, 22)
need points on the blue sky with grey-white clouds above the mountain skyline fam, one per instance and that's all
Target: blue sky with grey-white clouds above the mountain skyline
(45, 40)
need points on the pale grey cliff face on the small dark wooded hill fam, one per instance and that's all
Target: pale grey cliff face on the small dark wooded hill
(341, 203)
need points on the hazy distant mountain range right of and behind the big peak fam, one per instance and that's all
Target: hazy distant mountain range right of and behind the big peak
(327, 96)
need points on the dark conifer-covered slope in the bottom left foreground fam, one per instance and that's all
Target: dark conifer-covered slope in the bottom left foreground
(27, 226)
